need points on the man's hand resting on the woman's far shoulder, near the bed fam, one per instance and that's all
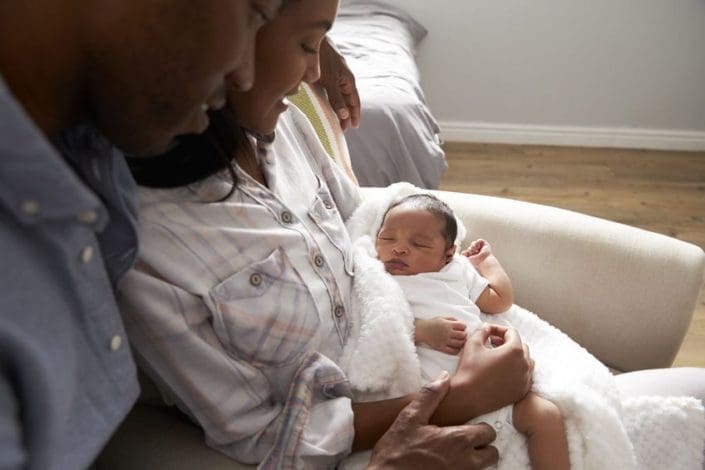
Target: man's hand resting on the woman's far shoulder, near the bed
(339, 83)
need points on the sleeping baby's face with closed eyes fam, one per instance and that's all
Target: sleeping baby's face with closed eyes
(411, 241)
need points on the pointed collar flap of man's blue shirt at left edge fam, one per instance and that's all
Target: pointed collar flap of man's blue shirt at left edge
(38, 183)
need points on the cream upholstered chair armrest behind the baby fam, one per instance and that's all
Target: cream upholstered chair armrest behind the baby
(625, 294)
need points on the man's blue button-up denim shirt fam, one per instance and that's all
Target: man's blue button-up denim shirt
(67, 234)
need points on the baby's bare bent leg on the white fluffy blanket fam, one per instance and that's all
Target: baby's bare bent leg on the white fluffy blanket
(542, 424)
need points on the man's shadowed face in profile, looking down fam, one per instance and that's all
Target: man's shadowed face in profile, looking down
(156, 66)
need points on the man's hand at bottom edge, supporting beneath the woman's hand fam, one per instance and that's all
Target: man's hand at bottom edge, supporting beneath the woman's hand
(412, 443)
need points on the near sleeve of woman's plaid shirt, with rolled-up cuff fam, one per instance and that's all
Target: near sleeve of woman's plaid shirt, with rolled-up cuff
(238, 405)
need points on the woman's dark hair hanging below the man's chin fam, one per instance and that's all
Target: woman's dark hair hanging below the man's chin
(195, 156)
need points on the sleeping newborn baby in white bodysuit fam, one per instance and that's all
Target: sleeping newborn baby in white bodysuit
(446, 294)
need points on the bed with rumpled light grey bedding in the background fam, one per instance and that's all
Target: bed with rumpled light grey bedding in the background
(398, 138)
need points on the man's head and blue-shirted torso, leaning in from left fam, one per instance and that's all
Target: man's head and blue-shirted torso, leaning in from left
(137, 73)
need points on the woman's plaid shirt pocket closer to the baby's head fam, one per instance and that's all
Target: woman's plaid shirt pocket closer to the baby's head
(325, 215)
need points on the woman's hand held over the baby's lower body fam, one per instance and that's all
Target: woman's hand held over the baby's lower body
(487, 378)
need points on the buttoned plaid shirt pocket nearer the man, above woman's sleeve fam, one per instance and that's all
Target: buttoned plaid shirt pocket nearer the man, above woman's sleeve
(264, 313)
